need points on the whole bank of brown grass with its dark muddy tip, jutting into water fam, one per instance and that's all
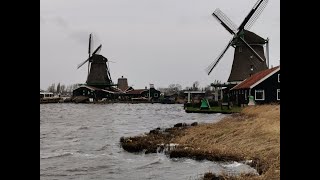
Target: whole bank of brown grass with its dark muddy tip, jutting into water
(253, 134)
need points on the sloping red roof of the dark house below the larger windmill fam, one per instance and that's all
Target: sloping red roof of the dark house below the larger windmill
(256, 78)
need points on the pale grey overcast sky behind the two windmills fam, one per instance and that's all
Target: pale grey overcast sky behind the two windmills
(149, 41)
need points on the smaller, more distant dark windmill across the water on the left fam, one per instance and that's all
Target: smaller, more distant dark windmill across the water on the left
(98, 68)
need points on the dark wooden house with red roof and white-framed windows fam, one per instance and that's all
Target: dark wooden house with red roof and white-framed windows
(264, 86)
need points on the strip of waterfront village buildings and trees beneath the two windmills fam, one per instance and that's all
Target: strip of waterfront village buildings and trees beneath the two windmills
(260, 88)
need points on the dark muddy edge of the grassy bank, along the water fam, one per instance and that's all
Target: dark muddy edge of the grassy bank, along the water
(162, 140)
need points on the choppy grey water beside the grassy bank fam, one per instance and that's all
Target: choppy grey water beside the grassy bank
(81, 141)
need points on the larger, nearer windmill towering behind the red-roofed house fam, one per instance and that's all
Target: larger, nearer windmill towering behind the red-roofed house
(249, 55)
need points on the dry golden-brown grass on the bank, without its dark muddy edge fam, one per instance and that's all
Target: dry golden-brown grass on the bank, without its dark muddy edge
(254, 134)
